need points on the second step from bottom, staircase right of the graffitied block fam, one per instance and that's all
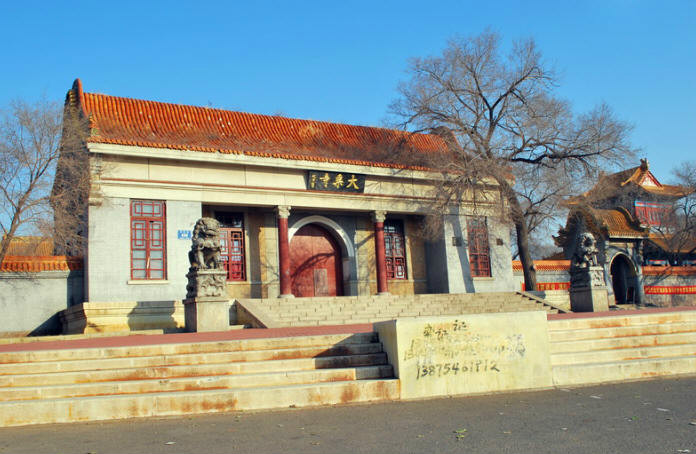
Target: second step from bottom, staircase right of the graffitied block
(622, 354)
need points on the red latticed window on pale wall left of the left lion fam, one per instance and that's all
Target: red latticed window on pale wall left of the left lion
(148, 239)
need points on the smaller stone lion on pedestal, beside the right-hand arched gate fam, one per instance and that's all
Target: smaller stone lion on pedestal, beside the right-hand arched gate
(588, 292)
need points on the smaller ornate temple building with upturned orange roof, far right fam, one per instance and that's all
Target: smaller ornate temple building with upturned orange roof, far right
(631, 214)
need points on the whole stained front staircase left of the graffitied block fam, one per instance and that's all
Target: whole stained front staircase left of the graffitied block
(88, 384)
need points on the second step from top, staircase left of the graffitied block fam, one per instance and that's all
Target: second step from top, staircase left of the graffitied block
(186, 359)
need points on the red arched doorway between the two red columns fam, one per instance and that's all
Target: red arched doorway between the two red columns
(315, 263)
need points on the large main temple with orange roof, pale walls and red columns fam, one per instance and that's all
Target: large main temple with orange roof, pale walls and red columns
(307, 208)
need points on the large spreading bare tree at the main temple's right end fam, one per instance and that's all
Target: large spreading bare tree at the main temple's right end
(502, 117)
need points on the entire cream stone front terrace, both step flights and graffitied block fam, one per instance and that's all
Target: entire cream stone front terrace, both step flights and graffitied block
(98, 378)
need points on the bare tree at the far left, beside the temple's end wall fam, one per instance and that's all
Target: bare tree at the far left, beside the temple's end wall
(35, 140)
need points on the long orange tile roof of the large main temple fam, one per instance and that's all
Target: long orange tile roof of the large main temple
(126, 121)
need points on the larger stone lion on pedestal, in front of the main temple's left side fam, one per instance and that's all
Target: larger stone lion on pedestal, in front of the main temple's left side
(206, 307)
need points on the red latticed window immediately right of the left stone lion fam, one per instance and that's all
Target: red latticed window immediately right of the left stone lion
(232, 245)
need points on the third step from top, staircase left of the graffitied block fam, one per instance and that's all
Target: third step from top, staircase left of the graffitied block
(140, 373)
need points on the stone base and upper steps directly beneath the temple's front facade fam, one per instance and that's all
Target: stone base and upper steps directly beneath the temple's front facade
(169, 316)
